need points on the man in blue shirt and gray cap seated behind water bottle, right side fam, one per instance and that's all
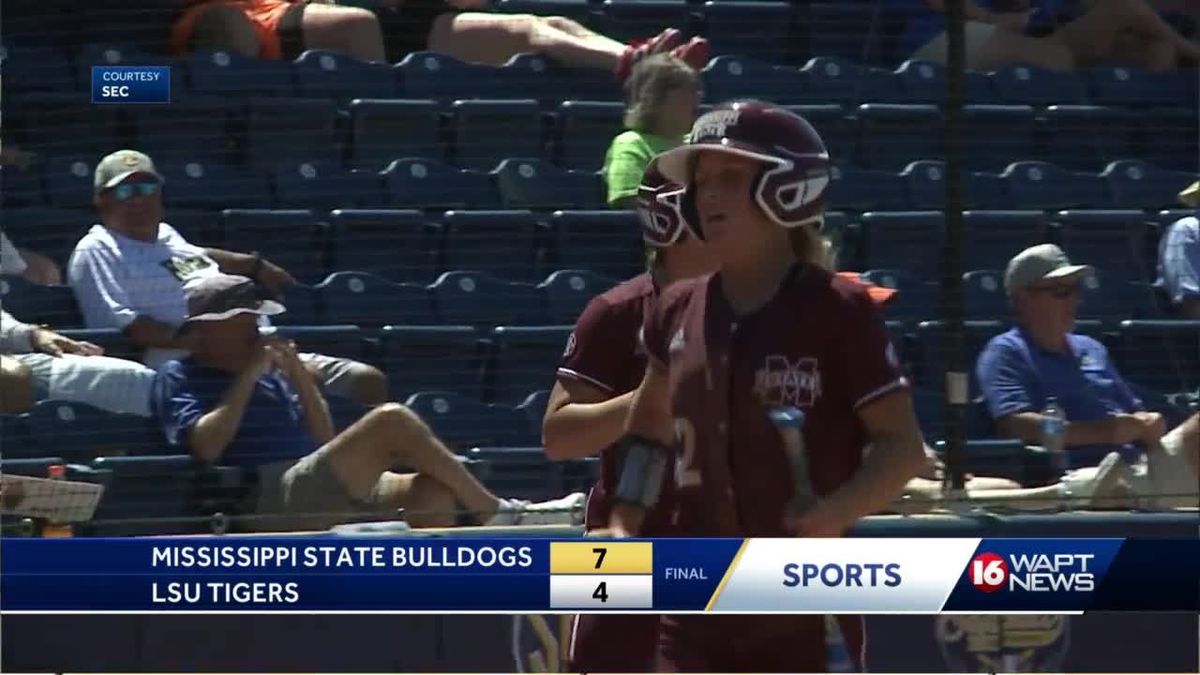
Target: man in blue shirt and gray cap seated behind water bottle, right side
(1041, 360)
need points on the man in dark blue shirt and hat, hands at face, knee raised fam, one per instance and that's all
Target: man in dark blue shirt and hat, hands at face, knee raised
(245, 401)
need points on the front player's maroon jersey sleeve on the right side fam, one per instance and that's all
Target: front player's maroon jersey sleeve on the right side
(871, 363)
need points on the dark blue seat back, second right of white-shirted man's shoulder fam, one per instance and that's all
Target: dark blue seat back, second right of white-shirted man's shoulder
(399, 246)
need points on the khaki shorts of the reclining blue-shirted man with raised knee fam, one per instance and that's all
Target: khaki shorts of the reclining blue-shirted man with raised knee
(307, 494)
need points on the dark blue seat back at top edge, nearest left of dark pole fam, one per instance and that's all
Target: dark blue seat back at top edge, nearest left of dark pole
(851, 29)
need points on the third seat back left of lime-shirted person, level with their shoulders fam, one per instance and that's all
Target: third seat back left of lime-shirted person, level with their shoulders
(383, 132)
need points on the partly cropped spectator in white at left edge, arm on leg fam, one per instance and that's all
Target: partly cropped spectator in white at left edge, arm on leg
(38, 363)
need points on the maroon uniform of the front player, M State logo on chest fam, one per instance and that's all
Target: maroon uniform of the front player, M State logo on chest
(819, 345)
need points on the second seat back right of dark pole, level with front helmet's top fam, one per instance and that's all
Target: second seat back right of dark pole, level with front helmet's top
(1087, 138)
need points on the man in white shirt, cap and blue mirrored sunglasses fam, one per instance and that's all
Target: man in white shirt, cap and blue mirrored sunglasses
(131, 273)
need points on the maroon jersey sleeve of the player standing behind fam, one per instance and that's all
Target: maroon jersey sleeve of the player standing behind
(603, 349)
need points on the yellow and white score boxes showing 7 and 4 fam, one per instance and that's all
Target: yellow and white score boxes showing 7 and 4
(602, 576)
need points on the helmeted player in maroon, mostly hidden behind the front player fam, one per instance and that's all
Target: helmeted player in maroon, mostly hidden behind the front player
(589, 407)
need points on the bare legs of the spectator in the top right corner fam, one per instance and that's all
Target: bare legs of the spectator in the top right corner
(1096, 34)
